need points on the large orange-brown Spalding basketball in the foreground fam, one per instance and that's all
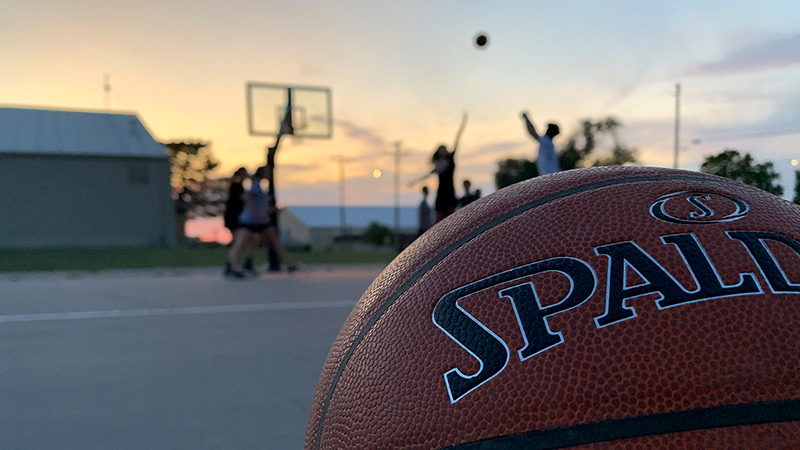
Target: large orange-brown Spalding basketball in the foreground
(617, 307)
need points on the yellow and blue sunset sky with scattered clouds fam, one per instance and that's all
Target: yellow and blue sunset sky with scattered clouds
(405, 71)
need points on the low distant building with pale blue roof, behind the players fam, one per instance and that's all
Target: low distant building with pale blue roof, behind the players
(320, 227)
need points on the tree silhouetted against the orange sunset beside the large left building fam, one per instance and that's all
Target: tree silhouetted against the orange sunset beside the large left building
(190, 164)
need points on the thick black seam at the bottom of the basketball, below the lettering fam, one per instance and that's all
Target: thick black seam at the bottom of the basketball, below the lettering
(725, 416)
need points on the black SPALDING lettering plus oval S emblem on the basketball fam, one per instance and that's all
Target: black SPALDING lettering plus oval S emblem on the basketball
(532, 316)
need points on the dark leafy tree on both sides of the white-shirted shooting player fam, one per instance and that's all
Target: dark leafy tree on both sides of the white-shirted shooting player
(579, 151)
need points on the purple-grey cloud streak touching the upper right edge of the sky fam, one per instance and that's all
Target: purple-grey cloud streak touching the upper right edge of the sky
(773, 53)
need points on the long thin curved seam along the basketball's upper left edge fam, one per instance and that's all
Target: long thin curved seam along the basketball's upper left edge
(463, 240)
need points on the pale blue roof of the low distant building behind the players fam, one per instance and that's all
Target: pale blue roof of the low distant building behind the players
(357, 216)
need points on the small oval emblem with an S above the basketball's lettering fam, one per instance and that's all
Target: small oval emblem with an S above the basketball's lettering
(690, 207)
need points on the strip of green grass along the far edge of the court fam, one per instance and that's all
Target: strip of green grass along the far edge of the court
(132, 258)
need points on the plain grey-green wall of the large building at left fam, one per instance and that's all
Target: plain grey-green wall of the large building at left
(63, 201)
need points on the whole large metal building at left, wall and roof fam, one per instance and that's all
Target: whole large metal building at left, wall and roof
(82, 179)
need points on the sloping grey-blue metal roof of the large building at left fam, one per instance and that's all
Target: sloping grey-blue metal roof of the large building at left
(61, 132)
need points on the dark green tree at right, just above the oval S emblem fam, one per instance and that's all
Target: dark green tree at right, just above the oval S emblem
(730, 164)
